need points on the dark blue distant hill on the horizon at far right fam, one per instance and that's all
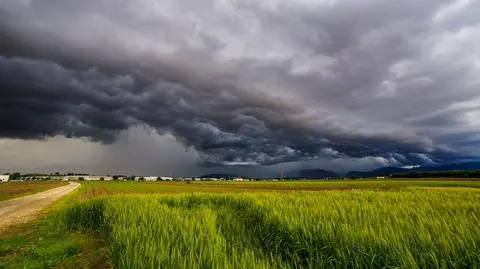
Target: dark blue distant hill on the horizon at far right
(385, 171)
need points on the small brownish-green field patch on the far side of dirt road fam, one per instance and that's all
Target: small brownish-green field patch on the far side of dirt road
(9, 190)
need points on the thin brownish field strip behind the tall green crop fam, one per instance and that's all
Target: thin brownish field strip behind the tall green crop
(98, 188)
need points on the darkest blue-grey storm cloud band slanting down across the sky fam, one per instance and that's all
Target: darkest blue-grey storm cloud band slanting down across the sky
(41, 99)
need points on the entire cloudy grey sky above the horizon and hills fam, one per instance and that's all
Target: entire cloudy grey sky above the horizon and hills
(184, 87)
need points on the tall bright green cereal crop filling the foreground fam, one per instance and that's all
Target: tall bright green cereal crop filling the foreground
(408, 228)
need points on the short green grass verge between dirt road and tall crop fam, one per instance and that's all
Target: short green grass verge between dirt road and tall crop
(43, 244)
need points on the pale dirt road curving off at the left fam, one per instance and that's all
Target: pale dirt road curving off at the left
(23, 209)
